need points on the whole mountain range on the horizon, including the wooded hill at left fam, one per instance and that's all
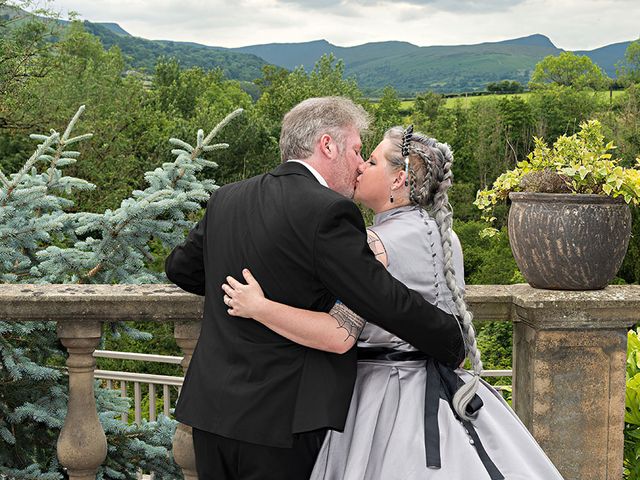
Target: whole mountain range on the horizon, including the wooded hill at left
(408, 68)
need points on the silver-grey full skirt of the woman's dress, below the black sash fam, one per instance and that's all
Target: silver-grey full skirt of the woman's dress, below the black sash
(384, 437)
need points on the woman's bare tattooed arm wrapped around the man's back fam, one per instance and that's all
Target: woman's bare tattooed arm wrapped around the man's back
(336, 331)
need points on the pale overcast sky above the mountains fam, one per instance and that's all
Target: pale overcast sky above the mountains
(570, 24)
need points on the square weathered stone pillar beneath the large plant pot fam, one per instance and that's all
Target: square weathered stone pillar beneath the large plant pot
(569, 382)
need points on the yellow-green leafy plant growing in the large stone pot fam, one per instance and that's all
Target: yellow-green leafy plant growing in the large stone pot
(580, 163)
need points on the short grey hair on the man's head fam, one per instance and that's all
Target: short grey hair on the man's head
(305, 123)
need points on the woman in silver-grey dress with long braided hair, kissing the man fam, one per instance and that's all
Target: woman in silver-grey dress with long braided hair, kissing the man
(410, 417)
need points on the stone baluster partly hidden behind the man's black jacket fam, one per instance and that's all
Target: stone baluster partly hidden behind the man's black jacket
(186, 334)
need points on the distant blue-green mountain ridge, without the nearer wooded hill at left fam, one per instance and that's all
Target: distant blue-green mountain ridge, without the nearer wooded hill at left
(411, 69)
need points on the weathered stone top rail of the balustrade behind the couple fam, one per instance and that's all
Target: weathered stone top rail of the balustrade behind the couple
(614, 306)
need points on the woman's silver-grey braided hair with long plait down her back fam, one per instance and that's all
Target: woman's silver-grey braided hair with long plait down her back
(430, 177)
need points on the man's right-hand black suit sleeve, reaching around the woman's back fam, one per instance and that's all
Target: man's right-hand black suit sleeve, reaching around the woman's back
(348, 268)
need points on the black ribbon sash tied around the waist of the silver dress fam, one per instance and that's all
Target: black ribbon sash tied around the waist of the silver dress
(442, 382)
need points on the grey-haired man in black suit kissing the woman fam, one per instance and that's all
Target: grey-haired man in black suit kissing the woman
(259, 404)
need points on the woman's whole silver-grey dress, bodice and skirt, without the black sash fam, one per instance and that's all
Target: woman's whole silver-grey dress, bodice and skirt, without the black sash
(384, 436)
